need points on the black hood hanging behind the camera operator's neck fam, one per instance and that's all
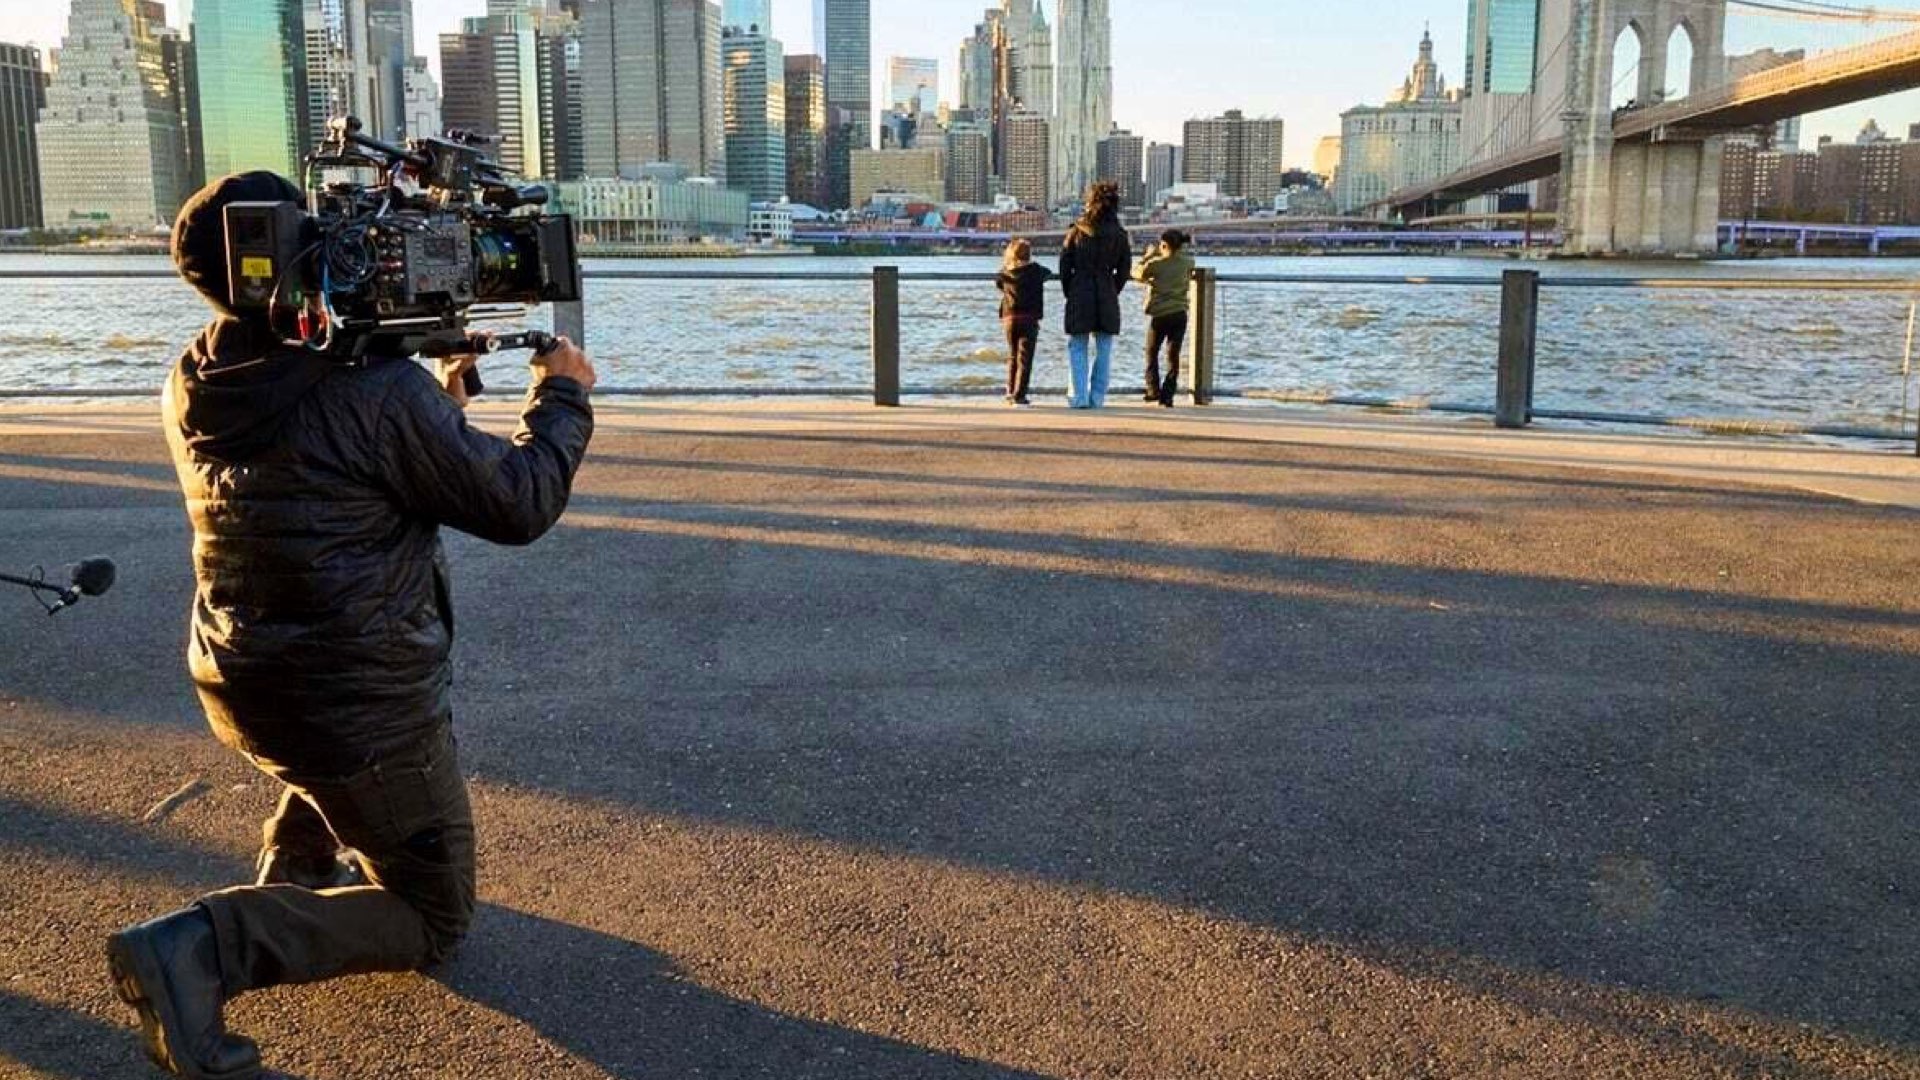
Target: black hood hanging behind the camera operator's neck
(237, 385)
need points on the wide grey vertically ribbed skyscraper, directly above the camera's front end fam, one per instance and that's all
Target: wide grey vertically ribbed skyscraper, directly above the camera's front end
(654, 87)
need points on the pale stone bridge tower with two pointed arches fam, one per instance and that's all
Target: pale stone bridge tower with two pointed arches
(1660, 197)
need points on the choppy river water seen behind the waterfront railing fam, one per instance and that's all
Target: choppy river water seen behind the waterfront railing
(1806, 356)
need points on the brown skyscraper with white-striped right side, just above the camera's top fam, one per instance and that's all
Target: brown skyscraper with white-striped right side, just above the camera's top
(492, 87)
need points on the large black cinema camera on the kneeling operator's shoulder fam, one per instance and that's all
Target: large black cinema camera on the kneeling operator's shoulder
(400, 266)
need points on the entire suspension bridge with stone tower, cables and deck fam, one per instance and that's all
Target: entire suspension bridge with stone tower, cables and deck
(1631, 107)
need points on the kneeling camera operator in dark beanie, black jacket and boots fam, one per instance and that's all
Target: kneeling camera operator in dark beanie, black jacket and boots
(322, 643)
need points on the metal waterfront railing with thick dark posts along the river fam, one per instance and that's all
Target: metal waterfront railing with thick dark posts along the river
(1514, 372)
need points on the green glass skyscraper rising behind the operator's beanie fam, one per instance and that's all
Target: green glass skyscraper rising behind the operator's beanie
(252, 86)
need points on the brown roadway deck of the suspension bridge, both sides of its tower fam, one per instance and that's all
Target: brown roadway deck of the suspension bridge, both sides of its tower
(1769, 97)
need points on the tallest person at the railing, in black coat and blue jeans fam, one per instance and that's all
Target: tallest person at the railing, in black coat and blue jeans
(1095, 266)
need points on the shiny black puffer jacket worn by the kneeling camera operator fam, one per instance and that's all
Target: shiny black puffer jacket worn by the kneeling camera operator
(324, 627)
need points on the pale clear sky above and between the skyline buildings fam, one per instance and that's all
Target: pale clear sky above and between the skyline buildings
(1301, 61)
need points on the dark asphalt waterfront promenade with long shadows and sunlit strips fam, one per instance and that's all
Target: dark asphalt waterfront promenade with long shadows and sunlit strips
(955, 741)
